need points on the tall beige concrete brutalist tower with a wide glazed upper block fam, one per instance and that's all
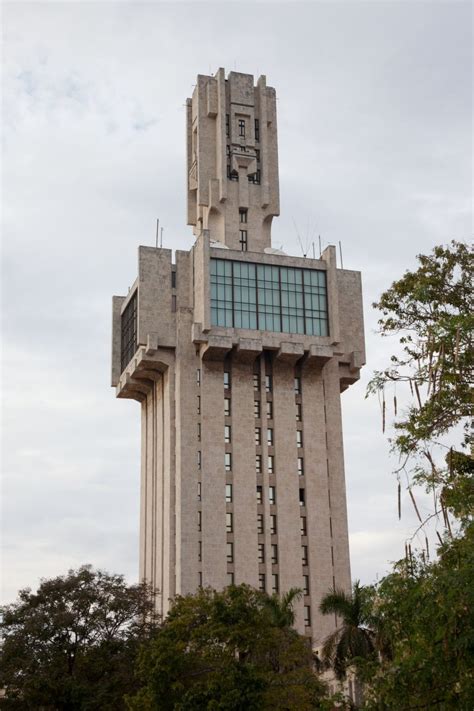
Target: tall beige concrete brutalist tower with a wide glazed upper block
(238, 354)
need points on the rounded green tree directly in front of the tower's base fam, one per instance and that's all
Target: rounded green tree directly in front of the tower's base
(226, 650)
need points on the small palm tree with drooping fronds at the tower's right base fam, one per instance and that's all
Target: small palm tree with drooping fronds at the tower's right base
(354, 638)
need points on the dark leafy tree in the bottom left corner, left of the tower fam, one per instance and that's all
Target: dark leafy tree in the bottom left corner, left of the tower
(72, 644)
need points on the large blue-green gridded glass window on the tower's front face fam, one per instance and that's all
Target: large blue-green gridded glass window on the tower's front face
(268, 297)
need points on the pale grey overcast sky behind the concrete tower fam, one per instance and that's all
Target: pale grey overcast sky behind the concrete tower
(374, 116)
